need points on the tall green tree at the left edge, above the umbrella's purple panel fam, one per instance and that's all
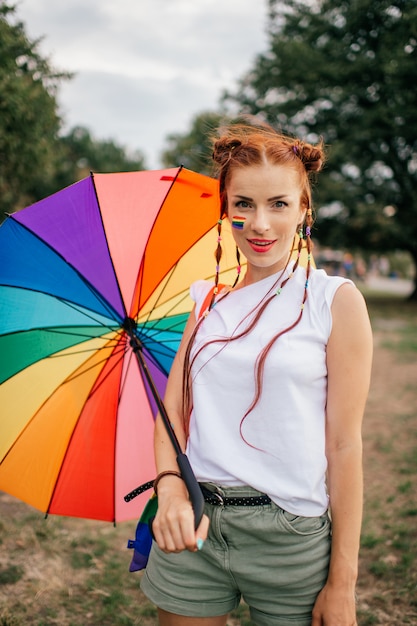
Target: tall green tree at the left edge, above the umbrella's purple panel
(29, 122)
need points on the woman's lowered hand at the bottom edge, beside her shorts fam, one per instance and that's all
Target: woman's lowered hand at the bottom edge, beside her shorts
(335, 606)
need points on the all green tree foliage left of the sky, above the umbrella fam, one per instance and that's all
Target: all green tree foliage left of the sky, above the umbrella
(36, 158)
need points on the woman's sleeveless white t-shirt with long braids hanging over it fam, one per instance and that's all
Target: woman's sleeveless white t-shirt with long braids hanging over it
(279, 448)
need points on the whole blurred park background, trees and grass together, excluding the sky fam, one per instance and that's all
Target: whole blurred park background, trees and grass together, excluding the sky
(344, 70)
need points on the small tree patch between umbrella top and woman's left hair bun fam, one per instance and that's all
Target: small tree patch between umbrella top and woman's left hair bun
(193, 149)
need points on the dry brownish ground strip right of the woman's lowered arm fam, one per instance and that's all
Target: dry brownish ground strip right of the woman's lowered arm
(386, 583)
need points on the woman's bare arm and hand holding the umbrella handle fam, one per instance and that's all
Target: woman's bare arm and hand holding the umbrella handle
(174, 523)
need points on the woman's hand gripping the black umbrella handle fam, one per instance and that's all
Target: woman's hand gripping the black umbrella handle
(173, 526)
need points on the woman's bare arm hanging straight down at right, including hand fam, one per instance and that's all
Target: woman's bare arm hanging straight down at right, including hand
(349, 357)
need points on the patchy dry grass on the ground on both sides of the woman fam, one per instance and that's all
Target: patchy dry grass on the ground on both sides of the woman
(75, 573)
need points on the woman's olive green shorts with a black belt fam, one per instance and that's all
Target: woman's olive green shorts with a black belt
(276, 561)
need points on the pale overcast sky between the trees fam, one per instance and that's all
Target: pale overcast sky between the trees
(145, 68)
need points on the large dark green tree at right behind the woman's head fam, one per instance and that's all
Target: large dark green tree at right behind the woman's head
(347, 70)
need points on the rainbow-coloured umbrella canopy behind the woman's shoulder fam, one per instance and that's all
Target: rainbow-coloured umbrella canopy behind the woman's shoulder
(79, 272)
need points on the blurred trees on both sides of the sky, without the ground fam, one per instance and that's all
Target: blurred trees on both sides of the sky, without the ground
(345, 71)
